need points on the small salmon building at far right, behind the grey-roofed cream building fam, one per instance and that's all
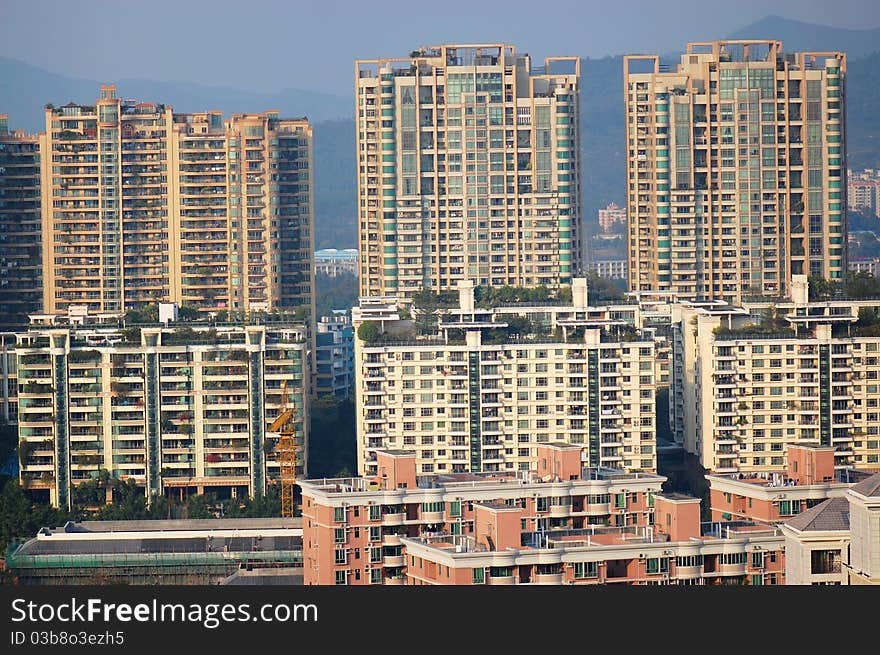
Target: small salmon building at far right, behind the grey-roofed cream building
(810, 479)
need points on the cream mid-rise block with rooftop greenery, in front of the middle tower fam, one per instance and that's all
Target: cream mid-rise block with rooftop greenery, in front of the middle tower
(493, 384)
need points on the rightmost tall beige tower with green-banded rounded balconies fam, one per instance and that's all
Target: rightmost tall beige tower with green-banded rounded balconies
(736, 165)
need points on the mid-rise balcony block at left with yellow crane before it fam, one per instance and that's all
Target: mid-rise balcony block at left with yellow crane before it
(184, 409)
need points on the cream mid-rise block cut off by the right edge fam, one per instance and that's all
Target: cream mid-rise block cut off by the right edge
(747, 386)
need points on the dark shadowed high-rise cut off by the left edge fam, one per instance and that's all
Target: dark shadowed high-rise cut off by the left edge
(20, 253)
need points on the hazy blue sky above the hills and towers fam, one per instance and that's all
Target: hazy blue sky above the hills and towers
(272, 44)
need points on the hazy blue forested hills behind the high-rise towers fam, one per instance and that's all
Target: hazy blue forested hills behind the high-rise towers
(24, 90)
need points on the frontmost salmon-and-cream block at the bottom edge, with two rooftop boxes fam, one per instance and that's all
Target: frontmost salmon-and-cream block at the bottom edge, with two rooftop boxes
(676, 550)
